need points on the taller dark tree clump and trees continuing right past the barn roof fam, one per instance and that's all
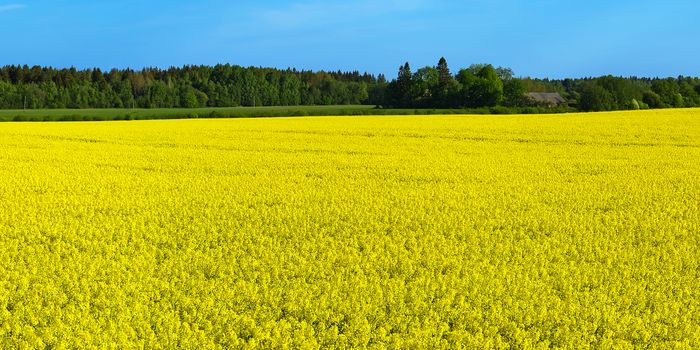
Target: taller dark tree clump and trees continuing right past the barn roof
(488, 86)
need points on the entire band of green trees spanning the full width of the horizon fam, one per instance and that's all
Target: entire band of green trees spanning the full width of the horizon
(480, 85)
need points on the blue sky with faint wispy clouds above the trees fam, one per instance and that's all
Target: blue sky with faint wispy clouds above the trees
(541, 38)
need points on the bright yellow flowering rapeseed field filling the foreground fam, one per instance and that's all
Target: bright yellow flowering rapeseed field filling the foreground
(571, 231)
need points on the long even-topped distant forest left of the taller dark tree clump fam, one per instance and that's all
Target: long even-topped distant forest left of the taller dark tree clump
(23, 87)
